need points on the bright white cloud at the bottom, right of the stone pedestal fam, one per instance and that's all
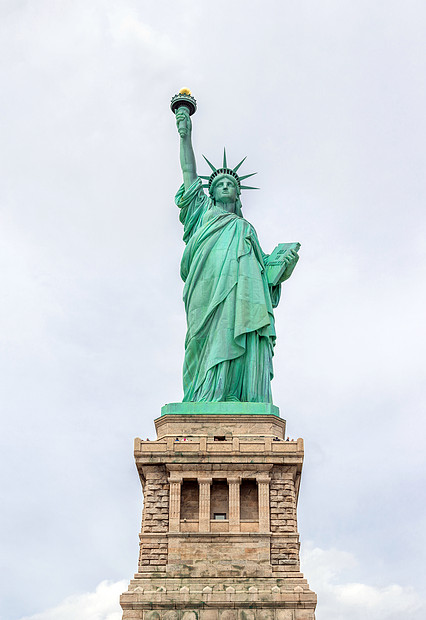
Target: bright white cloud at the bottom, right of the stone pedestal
(338, 599)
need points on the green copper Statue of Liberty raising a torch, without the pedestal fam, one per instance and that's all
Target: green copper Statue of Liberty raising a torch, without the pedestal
(231, 286)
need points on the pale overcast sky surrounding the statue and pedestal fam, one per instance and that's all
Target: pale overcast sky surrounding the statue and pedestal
(327, 99)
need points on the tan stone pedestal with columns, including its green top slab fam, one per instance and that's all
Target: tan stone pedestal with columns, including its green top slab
(219, 536)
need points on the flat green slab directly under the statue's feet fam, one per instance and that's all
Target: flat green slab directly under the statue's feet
(220, 408)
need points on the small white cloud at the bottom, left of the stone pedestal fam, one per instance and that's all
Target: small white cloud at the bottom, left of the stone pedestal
(102, 604)
